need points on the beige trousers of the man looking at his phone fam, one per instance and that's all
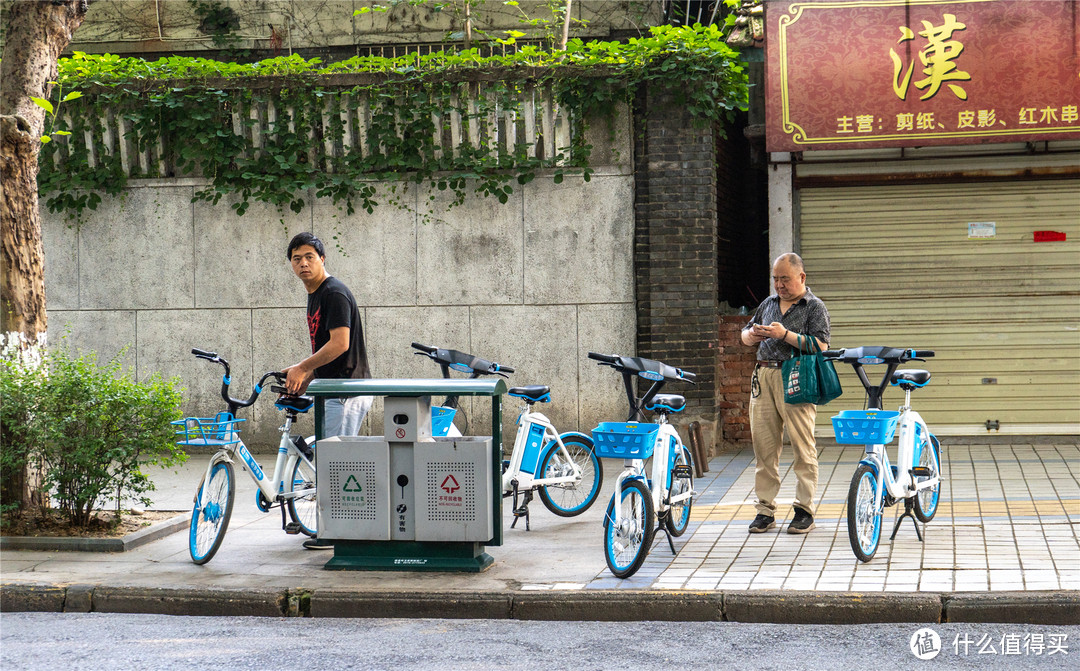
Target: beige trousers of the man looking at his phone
(768, 418)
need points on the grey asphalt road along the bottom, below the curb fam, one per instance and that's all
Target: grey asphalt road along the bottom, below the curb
(49, 641)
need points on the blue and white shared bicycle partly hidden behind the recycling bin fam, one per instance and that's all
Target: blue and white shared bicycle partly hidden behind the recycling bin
(562, 468)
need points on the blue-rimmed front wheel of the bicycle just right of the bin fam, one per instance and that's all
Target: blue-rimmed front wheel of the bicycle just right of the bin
(627, 545)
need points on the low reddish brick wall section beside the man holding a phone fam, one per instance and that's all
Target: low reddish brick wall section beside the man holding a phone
(734, 374)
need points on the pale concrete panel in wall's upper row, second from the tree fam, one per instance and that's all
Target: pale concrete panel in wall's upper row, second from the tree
(137, 252)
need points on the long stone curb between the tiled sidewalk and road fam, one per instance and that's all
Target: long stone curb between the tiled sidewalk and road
(1050, 608)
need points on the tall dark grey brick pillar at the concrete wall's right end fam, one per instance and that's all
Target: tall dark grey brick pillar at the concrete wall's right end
(676, 252)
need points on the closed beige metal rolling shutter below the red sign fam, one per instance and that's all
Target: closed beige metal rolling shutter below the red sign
(896, 267)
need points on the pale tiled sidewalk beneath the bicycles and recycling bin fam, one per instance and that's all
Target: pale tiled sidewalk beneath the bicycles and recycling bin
(1009, 521)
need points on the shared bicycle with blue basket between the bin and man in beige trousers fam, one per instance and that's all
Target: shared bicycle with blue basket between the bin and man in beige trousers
(642, 506)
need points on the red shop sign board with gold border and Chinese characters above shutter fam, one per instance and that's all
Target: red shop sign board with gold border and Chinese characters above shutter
(853, 74)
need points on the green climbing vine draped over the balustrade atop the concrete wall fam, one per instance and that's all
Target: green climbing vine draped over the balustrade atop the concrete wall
(199, 117)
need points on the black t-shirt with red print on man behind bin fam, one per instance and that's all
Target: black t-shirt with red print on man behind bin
(330, 307)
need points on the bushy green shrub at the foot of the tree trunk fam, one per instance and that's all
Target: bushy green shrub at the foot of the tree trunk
(92, 426)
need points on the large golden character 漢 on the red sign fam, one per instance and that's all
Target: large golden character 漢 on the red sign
(937, 58)
